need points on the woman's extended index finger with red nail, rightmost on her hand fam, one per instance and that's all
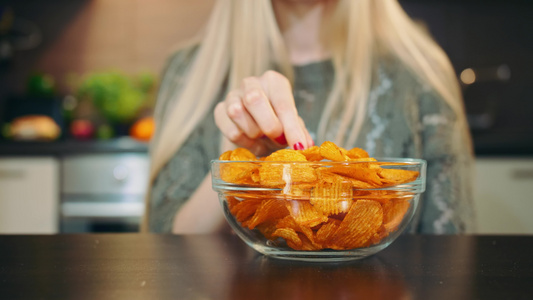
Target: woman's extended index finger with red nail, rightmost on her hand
(278, 90)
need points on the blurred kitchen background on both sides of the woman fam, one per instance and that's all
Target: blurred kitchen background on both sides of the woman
(78, 80)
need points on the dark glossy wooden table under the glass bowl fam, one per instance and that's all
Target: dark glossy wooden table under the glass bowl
(135, 266)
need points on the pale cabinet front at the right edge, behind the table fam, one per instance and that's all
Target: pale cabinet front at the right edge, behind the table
(504, 195)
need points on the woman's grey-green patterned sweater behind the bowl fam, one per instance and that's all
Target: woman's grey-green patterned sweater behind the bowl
(404, 118)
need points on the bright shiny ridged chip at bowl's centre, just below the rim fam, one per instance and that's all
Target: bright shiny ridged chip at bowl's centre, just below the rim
(332, 199)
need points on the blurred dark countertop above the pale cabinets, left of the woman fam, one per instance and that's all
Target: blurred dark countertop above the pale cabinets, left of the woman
(66, 147)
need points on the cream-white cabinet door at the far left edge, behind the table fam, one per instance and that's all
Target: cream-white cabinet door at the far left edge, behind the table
(29, 195)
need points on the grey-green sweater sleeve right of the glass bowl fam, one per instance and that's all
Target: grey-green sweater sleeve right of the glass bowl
(447, 204)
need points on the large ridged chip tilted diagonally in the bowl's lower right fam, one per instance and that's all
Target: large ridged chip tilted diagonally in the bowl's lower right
(359, 226)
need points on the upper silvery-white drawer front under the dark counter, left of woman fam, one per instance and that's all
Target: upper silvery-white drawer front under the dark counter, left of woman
(105, 174)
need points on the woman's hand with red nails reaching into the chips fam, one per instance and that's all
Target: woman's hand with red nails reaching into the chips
(261, 115)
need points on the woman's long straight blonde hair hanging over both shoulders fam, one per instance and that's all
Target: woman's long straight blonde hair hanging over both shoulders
(242, 39)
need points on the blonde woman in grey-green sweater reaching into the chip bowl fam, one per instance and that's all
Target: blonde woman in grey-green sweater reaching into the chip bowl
(359, 73)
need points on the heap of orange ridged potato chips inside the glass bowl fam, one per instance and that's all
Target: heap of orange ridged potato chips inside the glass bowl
(331, 201)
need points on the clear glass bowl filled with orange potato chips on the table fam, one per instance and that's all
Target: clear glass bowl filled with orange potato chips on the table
(319, 211)
